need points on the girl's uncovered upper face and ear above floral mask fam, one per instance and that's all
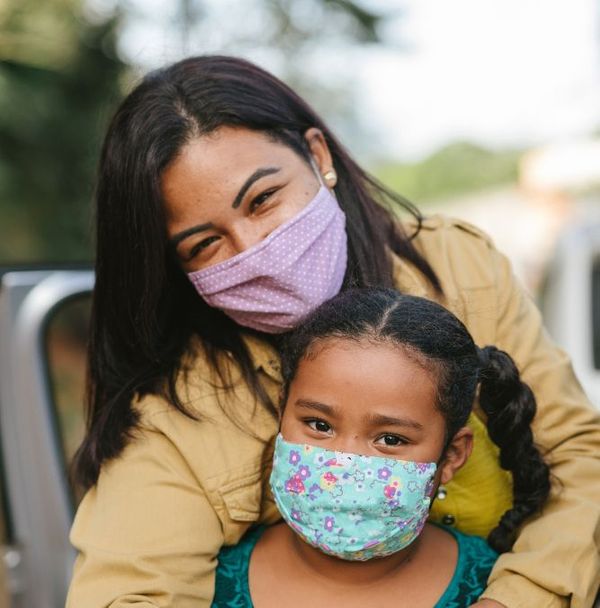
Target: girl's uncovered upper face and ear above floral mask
(370, 399)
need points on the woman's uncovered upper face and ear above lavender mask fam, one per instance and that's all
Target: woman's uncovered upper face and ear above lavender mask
(228, 190)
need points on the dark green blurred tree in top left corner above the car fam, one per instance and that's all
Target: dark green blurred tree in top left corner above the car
(59, 78)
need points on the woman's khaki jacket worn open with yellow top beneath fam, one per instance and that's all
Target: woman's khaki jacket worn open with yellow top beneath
(148, 533)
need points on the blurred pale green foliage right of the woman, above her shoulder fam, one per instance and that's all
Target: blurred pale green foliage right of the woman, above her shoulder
(455, 169)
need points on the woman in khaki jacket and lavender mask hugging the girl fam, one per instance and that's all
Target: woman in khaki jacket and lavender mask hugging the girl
(215, 169)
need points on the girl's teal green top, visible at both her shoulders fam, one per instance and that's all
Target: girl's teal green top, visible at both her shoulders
(473, 566)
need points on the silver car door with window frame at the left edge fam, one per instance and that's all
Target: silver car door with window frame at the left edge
(43, 329)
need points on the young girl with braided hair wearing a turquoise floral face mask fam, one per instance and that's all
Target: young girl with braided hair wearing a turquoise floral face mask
(377, 391)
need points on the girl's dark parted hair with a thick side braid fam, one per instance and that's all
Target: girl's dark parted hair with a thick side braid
(442, 344)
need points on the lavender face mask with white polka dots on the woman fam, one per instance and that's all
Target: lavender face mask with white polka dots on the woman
(273, 285)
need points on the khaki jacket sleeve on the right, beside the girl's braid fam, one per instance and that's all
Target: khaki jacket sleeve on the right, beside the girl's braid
(555, 561)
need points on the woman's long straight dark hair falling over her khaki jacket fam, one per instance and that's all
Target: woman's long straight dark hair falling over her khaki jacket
(144, 309)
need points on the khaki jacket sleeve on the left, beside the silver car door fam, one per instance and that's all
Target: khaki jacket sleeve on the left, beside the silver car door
(146, 533)
